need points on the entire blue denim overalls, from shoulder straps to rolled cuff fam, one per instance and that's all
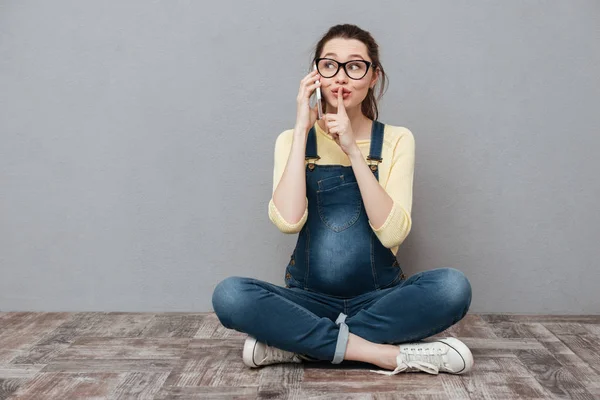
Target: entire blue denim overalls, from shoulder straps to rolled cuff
(340, 269)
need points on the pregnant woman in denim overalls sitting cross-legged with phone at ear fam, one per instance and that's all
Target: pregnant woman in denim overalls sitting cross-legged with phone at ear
(346, 297)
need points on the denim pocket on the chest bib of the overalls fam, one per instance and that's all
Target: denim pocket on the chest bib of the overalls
(339, 207)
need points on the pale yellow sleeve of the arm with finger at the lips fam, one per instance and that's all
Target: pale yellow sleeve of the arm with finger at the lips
(399, 187)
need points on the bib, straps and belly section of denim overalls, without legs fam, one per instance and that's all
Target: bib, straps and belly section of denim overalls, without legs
(337, 252)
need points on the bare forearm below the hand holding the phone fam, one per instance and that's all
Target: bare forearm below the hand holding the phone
(290, 195)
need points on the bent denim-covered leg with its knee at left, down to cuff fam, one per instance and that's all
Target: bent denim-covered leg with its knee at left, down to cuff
(290, 319)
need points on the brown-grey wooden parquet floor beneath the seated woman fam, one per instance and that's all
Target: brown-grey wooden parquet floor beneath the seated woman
(192, 356)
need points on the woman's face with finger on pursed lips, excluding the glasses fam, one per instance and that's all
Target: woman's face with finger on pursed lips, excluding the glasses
(354, 91)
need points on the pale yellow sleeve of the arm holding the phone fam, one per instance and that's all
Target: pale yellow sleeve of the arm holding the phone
(283, 145)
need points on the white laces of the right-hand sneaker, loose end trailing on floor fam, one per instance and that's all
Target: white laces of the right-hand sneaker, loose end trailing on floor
(418, 358)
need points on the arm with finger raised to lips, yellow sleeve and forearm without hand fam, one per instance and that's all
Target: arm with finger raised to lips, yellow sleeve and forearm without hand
(388, 209)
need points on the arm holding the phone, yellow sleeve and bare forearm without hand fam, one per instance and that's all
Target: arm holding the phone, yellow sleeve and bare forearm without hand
(288, 207)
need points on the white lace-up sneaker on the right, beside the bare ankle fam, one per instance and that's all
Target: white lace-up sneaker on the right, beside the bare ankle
(433, 356)
